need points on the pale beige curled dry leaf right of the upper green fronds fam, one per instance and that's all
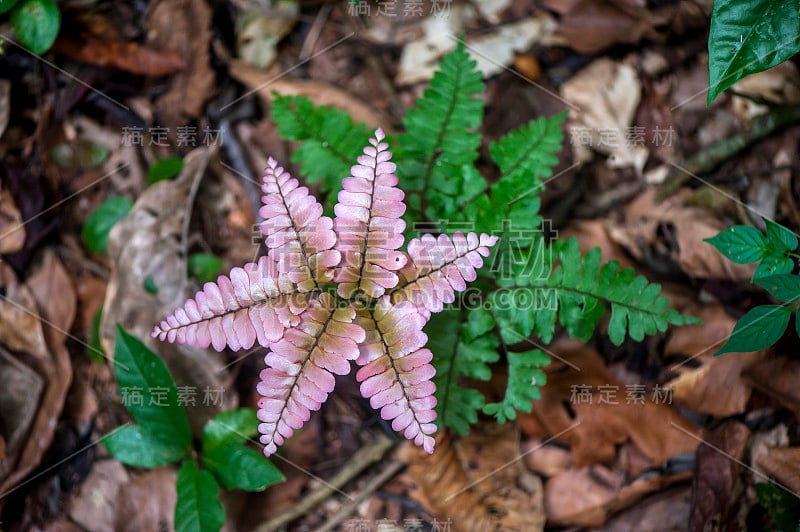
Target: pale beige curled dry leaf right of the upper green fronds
(607, 94)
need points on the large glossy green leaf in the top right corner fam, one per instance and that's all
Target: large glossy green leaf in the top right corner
(749, 37)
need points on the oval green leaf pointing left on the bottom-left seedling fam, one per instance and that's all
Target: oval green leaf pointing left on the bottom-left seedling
(135, 446)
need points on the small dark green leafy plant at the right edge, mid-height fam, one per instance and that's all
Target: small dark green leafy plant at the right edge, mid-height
(775, 253)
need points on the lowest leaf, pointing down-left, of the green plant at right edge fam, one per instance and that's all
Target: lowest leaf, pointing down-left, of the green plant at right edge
(761, 327)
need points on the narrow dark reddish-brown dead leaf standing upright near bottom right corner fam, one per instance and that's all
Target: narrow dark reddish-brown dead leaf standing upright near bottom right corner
(717, 472)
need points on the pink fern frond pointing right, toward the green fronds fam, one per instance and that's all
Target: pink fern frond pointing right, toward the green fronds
(440, 267)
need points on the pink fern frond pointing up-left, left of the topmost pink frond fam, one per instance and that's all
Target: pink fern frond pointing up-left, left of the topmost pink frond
(298, 237)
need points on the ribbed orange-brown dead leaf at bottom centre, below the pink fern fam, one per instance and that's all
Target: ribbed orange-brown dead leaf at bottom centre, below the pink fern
(478, 481)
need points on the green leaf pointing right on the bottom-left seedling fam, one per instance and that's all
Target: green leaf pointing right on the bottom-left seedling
(237, 466)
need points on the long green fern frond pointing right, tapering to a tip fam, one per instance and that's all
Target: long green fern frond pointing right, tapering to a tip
(577, 292)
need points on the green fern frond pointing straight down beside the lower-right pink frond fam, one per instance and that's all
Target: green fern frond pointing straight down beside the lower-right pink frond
(461, 350)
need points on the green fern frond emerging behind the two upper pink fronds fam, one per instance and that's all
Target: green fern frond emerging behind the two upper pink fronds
(330, 140)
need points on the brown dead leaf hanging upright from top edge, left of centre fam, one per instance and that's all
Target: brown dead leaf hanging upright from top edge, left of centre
(183, 27)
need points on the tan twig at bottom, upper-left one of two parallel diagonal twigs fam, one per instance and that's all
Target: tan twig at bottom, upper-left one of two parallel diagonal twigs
(365, 457)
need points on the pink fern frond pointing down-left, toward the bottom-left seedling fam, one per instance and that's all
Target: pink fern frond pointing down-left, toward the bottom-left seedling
(301, 367)
